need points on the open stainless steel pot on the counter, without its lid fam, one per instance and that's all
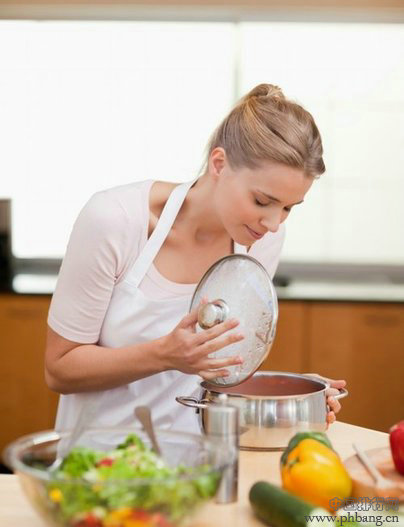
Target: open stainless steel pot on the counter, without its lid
(273, 406)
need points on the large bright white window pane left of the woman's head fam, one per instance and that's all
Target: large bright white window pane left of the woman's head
(90, 105)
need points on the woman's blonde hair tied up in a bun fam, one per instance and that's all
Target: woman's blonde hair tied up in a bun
(265, 126)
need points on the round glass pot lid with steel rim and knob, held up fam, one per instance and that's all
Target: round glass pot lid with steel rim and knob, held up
(238, 286)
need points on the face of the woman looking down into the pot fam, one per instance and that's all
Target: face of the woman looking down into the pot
(251, 202)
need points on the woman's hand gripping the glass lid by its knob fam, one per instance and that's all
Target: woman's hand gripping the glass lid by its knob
(185, 350)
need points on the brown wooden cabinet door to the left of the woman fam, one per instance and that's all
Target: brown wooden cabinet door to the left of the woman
(26, 404)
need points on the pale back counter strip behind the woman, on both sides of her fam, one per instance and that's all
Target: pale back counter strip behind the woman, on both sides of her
(312, 281)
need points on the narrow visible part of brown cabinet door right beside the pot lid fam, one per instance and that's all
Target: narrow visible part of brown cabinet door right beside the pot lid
(288, 350)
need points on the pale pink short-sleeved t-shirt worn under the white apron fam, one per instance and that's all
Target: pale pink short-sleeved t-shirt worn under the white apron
(107, 237)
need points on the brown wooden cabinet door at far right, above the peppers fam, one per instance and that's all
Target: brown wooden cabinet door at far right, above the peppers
(364, 344)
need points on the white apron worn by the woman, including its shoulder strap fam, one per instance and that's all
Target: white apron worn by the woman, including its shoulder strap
(133, 318)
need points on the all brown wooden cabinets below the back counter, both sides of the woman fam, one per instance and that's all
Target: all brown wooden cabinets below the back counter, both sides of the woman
(360, 342)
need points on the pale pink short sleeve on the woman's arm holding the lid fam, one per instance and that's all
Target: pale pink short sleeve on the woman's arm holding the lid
(94, 259)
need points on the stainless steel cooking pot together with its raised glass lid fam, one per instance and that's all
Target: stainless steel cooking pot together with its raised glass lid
(273, 406)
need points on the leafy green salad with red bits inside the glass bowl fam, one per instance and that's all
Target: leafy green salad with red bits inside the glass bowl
(129, 486)
